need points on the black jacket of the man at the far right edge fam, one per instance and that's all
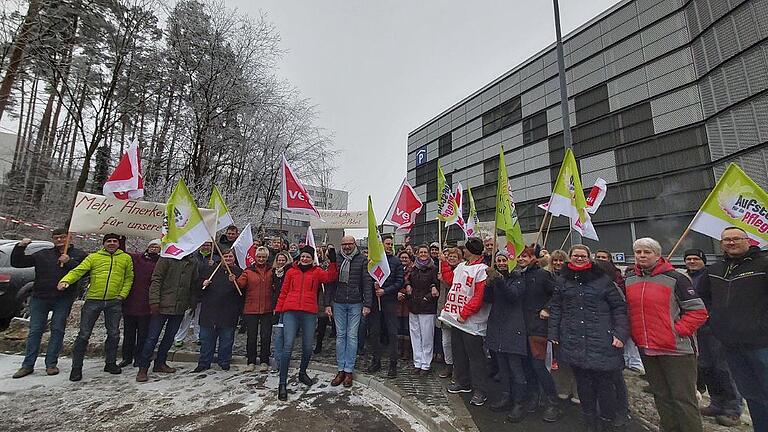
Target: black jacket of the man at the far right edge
(736, 296)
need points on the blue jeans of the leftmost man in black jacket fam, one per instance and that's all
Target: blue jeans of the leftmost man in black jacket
(38, 316)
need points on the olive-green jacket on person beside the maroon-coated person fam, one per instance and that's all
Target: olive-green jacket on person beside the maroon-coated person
(173, 285)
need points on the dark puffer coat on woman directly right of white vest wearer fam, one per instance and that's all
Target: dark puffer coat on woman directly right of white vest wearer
(506, 323)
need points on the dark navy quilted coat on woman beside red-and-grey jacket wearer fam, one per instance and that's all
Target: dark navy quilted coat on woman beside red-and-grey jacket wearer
(586, 312)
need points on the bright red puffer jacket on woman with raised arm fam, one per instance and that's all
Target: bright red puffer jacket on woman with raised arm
(299, 292)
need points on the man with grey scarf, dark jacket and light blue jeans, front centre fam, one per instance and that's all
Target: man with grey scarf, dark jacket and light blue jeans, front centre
(349, 300)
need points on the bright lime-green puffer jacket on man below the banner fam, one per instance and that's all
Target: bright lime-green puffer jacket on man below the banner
(111, 275)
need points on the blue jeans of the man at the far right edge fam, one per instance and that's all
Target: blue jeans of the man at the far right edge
(750, 371)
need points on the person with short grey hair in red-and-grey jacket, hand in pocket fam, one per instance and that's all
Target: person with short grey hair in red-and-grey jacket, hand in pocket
(664, 314)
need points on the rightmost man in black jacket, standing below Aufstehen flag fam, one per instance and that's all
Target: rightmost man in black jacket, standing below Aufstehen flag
(736, 295)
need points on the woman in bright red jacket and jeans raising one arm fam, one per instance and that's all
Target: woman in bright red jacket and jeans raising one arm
(298, 304)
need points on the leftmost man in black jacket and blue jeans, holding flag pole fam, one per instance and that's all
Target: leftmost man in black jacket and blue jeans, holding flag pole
(50, 265)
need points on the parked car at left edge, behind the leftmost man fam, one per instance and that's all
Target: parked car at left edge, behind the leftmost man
(15, 283)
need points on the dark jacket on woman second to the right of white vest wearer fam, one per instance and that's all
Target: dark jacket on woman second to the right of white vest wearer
(538, 287)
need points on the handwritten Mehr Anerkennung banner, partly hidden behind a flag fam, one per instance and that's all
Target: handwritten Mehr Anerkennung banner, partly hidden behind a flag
(97, 214)
